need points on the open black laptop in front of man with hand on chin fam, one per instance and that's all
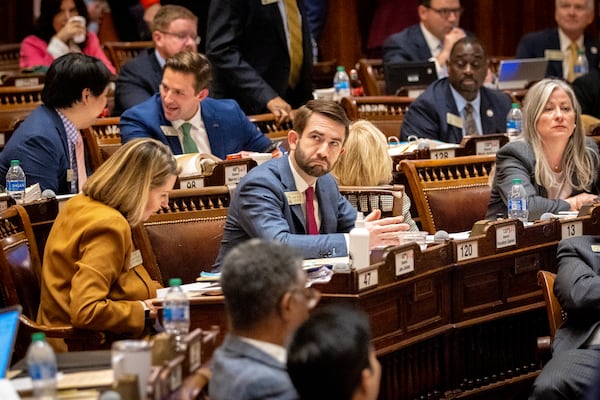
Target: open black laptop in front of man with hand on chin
(407, 75)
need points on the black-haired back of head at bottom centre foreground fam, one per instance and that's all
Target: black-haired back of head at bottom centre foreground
(333, 347)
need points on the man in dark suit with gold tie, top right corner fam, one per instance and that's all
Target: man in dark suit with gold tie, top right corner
(572, 17)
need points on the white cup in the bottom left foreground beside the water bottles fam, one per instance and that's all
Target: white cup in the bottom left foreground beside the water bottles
(132, 357)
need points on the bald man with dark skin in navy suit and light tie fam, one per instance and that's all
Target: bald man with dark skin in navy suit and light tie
(442, 111)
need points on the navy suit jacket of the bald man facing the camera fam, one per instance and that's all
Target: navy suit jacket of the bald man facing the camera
(427, 115)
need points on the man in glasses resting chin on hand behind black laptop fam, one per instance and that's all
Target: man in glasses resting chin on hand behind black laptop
(429, 40)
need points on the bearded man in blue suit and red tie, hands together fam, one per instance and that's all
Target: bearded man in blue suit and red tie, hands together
(271, 201)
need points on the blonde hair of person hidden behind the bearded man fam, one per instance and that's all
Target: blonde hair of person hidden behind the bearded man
(365, 161)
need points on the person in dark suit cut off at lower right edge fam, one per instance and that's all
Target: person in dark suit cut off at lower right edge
(576, 344)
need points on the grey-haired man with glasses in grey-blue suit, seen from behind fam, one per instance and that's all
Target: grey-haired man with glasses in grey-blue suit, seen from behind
(267, 299)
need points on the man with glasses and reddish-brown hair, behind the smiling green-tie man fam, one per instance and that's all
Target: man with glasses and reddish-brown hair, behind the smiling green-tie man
(173, 30)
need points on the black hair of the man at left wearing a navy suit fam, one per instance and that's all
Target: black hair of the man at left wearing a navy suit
(69, 75)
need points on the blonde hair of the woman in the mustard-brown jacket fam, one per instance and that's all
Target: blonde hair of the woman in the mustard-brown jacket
(126, 178)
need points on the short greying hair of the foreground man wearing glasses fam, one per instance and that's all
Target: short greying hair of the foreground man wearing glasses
(255, 275)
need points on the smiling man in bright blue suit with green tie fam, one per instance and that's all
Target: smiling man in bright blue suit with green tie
(185, 118)
